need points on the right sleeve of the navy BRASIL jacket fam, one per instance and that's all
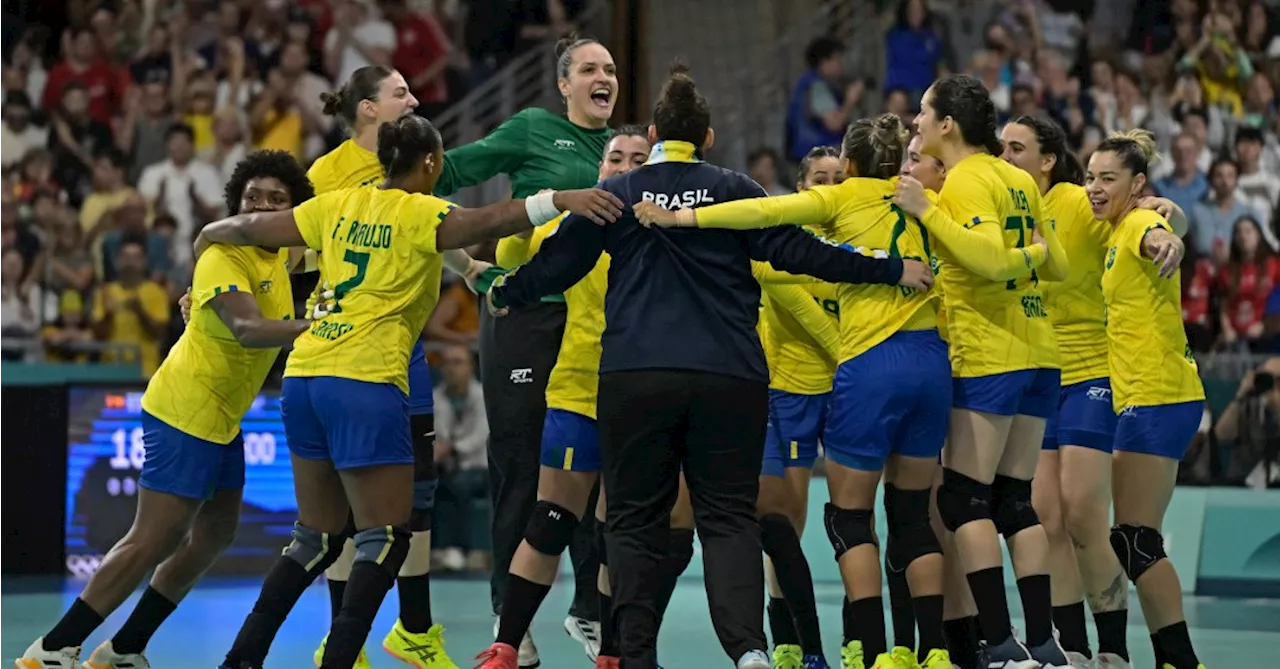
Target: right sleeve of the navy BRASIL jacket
(798, 251)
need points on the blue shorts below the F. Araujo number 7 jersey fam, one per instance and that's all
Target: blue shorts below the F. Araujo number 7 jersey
(354, 424)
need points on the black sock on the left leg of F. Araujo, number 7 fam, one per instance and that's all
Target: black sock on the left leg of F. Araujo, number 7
(282, 588)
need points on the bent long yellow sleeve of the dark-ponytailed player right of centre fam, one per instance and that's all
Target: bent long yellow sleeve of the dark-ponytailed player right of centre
(980, 242)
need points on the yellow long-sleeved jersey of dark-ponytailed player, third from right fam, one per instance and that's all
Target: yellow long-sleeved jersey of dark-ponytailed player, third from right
(996, 317)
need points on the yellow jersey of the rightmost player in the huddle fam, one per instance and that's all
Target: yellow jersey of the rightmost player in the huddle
(1149, 358)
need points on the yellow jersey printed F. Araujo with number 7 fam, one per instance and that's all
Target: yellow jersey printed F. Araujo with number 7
(378, 253)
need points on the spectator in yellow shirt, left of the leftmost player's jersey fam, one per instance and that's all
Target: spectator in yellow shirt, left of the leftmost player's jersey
(132, 311)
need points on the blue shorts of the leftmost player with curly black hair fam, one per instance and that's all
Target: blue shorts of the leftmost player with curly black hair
(188, 466)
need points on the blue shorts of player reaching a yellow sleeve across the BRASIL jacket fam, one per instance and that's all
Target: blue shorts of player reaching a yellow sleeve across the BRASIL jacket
(893, 400)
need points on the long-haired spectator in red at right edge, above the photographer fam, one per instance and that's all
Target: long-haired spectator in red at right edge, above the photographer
(1246, 283)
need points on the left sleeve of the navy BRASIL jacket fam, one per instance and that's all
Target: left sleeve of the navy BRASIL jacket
(564, 260)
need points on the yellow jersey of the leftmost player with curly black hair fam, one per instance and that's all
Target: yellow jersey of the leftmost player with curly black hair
(211, 381)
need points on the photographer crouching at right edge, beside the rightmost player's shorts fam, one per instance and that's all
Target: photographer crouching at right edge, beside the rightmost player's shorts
(1249, 429)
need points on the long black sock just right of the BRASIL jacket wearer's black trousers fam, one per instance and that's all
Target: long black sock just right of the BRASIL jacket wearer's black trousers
(781, 543)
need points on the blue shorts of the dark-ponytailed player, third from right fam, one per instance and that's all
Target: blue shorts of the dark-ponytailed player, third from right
(1023, 393)
